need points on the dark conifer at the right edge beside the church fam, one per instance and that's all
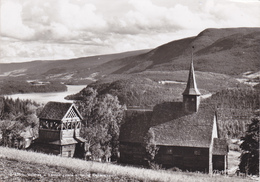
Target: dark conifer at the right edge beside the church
(249, 159)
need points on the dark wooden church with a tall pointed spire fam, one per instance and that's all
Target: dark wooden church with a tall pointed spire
(186, 134)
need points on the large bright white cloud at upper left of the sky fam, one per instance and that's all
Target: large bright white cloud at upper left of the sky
(61, 19)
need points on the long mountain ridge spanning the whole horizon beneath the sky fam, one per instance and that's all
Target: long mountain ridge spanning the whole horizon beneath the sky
(231, 51)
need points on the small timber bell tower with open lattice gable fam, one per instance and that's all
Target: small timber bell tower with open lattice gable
(59, 131)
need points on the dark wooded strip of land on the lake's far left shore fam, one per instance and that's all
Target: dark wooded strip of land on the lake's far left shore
(22, 86)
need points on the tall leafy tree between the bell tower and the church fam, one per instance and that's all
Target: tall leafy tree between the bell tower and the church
(103, 117)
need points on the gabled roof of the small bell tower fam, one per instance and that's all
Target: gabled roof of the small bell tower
(56, 110)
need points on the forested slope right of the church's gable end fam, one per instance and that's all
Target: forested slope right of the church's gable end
(235, 108)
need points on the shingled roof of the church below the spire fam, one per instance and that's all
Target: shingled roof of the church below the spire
(194, 130)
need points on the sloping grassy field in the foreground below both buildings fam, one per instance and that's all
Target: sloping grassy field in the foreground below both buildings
(17, 165)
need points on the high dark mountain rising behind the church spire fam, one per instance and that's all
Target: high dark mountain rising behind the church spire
(230, 51)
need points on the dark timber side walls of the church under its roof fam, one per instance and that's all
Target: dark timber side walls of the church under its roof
(184, 158)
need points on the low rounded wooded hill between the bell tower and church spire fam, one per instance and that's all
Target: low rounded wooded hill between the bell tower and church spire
(136, 91)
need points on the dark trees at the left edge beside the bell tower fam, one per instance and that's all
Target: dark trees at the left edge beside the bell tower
(16, 118)
